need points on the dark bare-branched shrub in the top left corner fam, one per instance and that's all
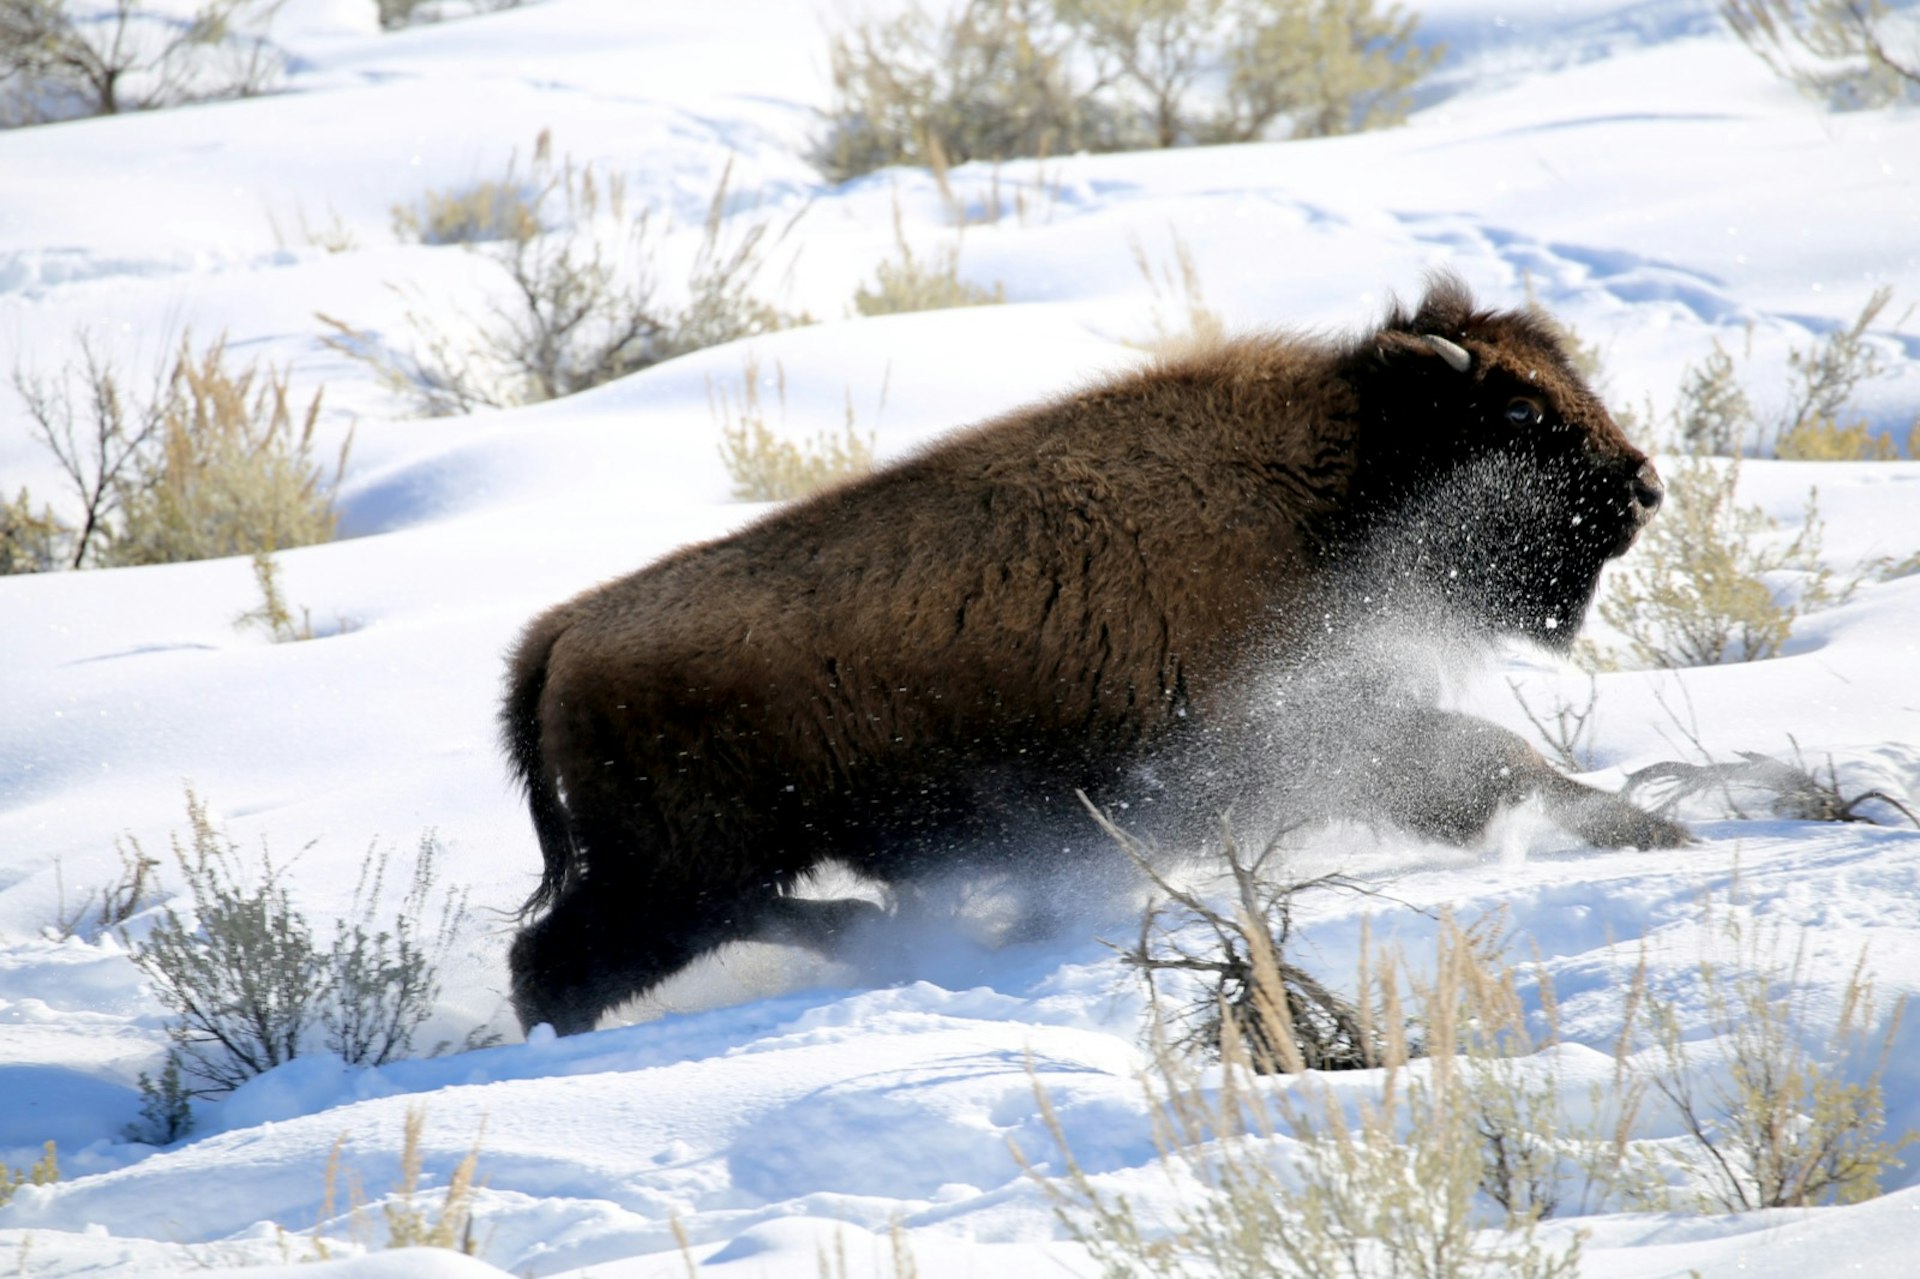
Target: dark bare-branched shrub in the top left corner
(66, 59)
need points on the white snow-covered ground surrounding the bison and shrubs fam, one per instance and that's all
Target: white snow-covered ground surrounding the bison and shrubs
(1623, 158)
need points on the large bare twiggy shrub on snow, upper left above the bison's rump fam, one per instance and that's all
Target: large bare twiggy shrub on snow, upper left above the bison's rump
(579, 308)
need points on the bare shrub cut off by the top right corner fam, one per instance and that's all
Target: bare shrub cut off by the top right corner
(1846, 53)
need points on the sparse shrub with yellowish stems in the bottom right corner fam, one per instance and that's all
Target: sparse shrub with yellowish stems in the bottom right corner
(1771, 1119)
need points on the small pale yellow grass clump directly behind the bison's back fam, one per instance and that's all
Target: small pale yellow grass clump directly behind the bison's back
(767, 468)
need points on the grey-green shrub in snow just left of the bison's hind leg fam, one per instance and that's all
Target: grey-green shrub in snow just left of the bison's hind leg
(251, 986)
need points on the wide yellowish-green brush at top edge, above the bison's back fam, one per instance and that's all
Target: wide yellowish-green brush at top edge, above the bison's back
(1001, 80)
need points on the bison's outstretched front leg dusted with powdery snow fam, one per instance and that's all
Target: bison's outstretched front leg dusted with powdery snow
(1452, 773)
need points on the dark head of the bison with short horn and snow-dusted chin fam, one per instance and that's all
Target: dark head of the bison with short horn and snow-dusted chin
(1489, 475)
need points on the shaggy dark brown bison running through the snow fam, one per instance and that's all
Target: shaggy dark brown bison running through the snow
(917, 671)
